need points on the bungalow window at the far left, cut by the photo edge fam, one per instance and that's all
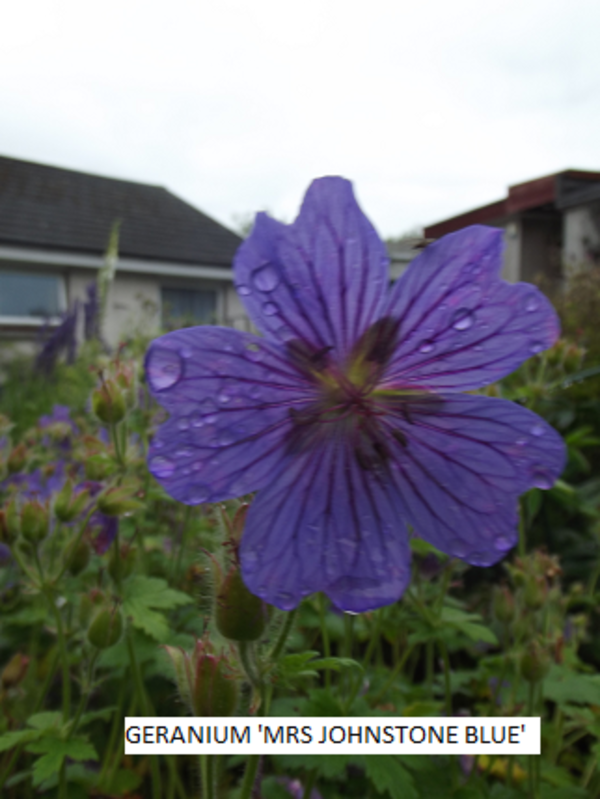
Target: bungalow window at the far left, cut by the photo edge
(26, 294)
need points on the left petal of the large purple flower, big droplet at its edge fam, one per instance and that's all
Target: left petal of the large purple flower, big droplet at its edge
(229, 395)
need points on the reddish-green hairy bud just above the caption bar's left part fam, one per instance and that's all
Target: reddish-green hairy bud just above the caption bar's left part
(205, 681)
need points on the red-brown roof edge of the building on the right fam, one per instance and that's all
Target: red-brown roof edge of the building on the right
(560, 190)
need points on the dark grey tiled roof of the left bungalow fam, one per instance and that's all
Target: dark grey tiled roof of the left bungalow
(60, 209)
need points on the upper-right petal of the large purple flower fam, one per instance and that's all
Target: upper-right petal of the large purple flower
(461, 326)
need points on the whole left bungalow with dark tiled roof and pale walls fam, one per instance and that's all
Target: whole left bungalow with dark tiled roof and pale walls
(174, 262)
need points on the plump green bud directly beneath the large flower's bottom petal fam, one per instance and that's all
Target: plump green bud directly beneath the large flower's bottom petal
(240, 615)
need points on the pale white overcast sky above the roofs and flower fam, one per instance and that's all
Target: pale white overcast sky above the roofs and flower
(430, 107)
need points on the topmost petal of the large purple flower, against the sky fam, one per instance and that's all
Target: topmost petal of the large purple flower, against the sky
(322, 279)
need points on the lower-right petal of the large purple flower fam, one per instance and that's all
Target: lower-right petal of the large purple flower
(464, 462)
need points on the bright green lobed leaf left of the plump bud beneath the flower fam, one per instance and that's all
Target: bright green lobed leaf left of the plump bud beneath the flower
(144, 596)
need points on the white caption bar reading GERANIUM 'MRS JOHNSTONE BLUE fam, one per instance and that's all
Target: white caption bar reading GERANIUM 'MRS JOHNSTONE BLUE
(165, 735)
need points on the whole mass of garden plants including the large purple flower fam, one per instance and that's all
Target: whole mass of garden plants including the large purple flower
(384, 503)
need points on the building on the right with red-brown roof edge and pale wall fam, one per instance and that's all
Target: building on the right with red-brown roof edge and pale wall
(551, 223)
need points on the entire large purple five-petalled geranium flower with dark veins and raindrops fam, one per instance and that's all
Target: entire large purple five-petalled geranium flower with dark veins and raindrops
(346, 415)
